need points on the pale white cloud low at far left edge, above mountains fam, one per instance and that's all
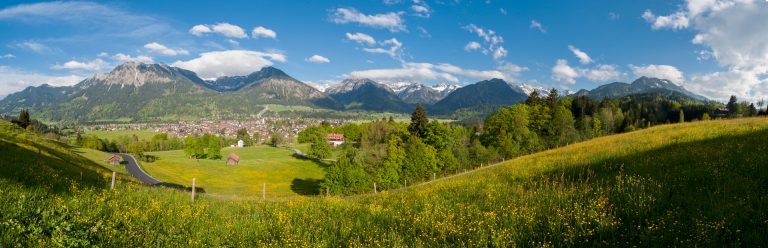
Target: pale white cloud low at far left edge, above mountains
(14, 80)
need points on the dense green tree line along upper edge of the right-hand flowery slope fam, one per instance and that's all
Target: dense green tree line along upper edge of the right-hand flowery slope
(391, 154)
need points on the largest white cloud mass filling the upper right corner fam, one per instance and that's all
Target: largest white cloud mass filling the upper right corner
(734, 33)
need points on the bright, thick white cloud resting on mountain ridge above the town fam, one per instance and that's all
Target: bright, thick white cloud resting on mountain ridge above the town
(229, 63)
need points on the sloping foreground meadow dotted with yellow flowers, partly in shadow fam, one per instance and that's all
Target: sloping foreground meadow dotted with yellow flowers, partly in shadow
(693, 184)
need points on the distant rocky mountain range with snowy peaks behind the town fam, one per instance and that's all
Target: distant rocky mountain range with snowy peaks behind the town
(144, 92)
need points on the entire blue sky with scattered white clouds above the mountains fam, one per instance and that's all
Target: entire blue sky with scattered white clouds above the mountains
(715, 48)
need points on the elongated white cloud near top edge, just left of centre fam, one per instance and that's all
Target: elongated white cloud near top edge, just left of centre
(391, 21)
